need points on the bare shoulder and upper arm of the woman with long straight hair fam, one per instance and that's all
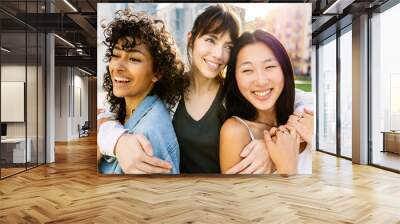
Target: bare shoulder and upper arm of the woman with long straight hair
(234, 136)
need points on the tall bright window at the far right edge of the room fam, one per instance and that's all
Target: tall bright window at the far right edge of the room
(385, 89)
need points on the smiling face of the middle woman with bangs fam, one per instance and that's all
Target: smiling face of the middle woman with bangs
(210, 54)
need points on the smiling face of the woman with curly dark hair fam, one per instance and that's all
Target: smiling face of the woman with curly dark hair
(131, 71)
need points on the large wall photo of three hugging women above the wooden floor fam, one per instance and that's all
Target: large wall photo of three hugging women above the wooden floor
(204, 88)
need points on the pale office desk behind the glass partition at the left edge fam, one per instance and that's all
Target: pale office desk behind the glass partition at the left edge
(13, 150)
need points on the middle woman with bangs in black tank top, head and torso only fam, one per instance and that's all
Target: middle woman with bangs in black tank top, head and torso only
(198, 118)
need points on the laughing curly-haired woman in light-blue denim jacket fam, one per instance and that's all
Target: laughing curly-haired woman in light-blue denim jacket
(142, 73)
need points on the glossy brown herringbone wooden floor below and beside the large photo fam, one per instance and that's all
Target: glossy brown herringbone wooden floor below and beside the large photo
(70, 191)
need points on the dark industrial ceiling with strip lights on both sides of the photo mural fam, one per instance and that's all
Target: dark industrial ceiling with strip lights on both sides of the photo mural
(76, 23)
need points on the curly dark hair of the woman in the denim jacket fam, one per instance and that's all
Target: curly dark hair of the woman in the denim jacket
(136, 28)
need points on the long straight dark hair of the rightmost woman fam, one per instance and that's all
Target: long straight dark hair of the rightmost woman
(236, 103)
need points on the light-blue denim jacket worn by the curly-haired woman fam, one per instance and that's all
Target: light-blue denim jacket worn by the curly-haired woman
(151, 119)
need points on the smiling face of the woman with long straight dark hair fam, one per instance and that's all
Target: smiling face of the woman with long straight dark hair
(259, 76)
